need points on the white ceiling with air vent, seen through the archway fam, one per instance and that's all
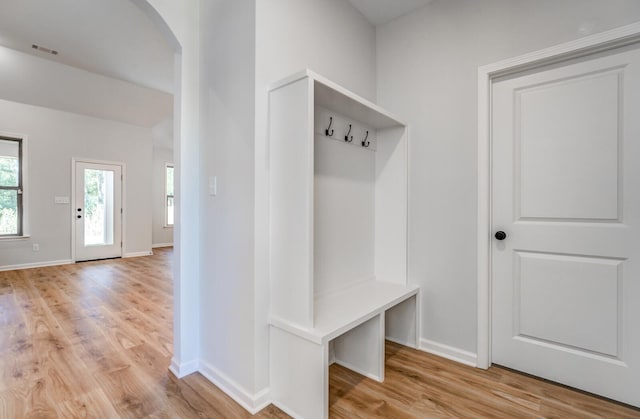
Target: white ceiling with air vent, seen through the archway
(109, 37)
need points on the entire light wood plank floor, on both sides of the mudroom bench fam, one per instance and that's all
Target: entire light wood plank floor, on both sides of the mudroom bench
(94, 340)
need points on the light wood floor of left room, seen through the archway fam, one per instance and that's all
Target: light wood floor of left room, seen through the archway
(94, 340)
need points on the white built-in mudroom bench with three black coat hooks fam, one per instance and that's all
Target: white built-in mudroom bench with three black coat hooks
(338, 247)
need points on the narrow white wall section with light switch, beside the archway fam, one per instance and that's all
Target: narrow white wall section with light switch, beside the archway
(226, 221)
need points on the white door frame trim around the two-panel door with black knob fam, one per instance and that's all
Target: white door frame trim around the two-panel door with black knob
(625, 35)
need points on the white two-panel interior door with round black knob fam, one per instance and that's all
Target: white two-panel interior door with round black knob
(566, 193)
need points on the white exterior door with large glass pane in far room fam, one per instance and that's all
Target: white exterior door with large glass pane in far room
(98, 211)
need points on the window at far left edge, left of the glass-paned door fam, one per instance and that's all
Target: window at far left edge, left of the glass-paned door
(11, 190)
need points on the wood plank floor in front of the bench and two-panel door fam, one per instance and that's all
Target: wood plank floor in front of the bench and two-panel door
(420, 385)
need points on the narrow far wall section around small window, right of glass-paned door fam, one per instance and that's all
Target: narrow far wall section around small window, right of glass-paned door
(160, 234)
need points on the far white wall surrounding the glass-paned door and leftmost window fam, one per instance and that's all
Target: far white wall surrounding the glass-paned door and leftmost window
(54, 138)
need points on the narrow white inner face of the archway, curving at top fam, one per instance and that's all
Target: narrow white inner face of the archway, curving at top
(177, 21)
